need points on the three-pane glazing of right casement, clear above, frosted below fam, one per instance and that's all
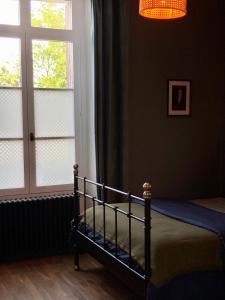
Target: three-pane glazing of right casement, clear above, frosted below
(53, 94)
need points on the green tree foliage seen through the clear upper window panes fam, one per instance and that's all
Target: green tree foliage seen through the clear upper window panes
(49, 57)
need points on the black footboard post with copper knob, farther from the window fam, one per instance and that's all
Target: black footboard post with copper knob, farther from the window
(147, 233)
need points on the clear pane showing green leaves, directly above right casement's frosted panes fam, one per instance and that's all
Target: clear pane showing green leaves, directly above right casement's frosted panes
(52, 64)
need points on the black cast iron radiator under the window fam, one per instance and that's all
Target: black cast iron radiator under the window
(35, 227)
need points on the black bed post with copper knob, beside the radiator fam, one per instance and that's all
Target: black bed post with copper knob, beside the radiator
(76, 217)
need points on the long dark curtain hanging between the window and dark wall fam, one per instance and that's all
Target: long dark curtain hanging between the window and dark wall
(111, 53)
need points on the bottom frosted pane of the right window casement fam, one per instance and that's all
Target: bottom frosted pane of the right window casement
(54, 162)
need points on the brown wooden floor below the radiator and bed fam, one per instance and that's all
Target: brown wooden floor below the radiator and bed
(53, 278)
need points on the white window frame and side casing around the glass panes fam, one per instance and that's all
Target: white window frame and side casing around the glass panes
(83, 91)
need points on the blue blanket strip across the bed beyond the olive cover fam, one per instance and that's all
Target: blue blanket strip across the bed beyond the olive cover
(193, 214)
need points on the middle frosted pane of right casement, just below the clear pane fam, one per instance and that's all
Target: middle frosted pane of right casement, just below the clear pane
(54, 113)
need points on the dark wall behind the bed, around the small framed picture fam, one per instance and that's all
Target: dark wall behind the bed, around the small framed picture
(181, 156)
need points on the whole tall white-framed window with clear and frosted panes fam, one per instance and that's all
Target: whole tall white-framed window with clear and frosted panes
(41, 90)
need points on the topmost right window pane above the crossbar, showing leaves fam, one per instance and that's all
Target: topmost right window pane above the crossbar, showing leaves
(55, 14)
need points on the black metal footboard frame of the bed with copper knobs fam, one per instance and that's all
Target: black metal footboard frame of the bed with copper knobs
(137, 281)
